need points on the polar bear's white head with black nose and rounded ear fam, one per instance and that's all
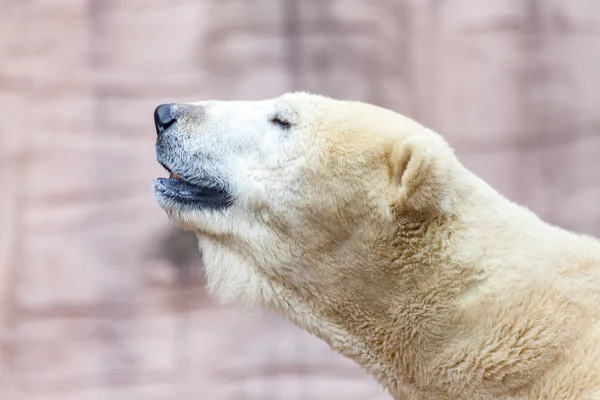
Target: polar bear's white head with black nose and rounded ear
(295, 198)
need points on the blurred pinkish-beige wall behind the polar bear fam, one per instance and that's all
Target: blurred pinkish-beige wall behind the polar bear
(100, 298)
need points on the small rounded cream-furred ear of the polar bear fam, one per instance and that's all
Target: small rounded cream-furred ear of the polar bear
(420, 172)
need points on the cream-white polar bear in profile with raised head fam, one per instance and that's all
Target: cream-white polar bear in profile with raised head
(361, 226)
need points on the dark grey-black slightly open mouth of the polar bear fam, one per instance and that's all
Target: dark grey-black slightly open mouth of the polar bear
(198, 193)
